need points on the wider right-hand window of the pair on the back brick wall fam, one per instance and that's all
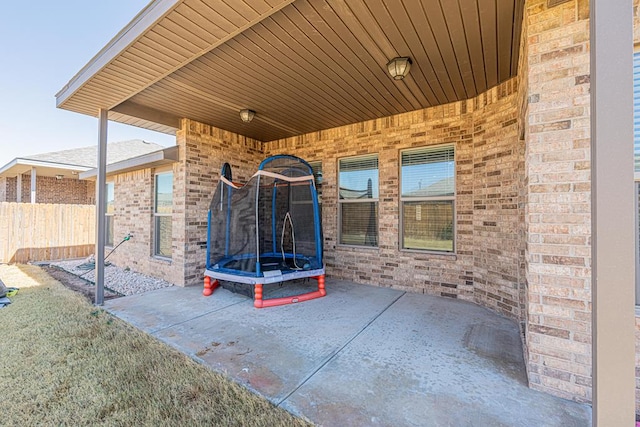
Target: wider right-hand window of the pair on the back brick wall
(428, 198)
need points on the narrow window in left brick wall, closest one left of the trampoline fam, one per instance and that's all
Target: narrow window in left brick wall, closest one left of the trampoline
(162, 214)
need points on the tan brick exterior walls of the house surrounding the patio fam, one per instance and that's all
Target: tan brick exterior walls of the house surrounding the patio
(522, 202)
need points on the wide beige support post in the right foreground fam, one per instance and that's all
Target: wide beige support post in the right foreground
(612, 211)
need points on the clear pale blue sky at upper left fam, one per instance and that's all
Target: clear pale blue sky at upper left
(43, 44)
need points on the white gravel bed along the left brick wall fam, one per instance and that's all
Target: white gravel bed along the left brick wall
(121, 280)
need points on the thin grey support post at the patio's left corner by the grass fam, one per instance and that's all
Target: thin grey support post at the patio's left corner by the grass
(101, 204)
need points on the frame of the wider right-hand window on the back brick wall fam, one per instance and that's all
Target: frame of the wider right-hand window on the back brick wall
(402, 199)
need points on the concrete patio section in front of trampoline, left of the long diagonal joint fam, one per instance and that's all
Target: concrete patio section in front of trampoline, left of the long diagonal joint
(273, 351)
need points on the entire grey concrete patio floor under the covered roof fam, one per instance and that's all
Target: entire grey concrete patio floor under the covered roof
(360, 356)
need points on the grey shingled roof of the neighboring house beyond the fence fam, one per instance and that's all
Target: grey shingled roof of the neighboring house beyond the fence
(70, 163)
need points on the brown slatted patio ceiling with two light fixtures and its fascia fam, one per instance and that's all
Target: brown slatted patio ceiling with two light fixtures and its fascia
(302, 65)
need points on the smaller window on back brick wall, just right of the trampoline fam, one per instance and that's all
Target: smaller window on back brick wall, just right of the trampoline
(358, 200)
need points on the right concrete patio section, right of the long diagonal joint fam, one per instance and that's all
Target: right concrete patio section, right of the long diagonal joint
(430, 361)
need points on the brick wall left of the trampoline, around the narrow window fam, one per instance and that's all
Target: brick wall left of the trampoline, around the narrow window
(202, 152)
